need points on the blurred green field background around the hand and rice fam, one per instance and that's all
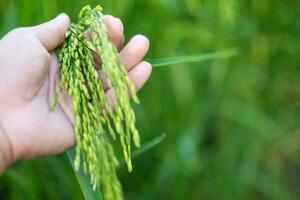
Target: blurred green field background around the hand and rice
(232, 125)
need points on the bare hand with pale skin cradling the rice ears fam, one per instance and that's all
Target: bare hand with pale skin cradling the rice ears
(28, 80)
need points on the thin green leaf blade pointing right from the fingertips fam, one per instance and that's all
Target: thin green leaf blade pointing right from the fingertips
(194, 58)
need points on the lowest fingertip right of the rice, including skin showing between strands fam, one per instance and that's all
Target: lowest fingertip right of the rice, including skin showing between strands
(138, 75)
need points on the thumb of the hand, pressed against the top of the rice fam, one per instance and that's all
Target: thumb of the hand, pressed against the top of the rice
(52, 33)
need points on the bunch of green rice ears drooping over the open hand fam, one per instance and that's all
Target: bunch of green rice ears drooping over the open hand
(93, 114)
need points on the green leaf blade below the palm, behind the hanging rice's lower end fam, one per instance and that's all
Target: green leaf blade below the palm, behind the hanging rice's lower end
(84, 181)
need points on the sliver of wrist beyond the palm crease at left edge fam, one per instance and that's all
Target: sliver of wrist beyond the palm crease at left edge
(5, 150)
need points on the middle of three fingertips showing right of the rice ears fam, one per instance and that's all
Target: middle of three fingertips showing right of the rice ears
(134, 51)
